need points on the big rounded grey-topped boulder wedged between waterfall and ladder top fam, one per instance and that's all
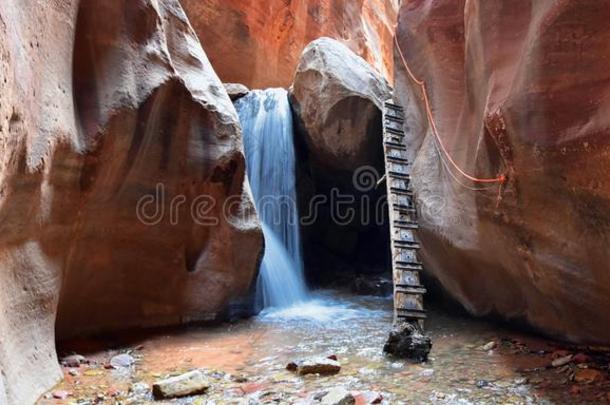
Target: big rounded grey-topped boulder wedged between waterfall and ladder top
(338, 97)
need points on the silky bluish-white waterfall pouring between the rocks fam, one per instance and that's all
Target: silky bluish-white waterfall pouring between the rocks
(267, 128)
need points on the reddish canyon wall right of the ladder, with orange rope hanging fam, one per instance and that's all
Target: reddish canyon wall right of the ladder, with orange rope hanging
(521, 91)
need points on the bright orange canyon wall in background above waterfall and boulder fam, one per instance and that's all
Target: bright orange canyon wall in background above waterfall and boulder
(259, 43)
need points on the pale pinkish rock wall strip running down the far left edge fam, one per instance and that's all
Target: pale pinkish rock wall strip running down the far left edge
(35, 110)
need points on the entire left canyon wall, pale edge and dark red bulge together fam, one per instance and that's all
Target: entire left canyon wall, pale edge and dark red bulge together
(123, 199)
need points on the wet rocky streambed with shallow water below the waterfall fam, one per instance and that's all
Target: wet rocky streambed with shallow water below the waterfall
(472, 361)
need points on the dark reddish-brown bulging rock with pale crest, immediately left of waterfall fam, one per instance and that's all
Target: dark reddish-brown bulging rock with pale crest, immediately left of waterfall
(162, 226)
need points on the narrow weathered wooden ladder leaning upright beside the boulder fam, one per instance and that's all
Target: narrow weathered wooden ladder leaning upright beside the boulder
(406, 267)
